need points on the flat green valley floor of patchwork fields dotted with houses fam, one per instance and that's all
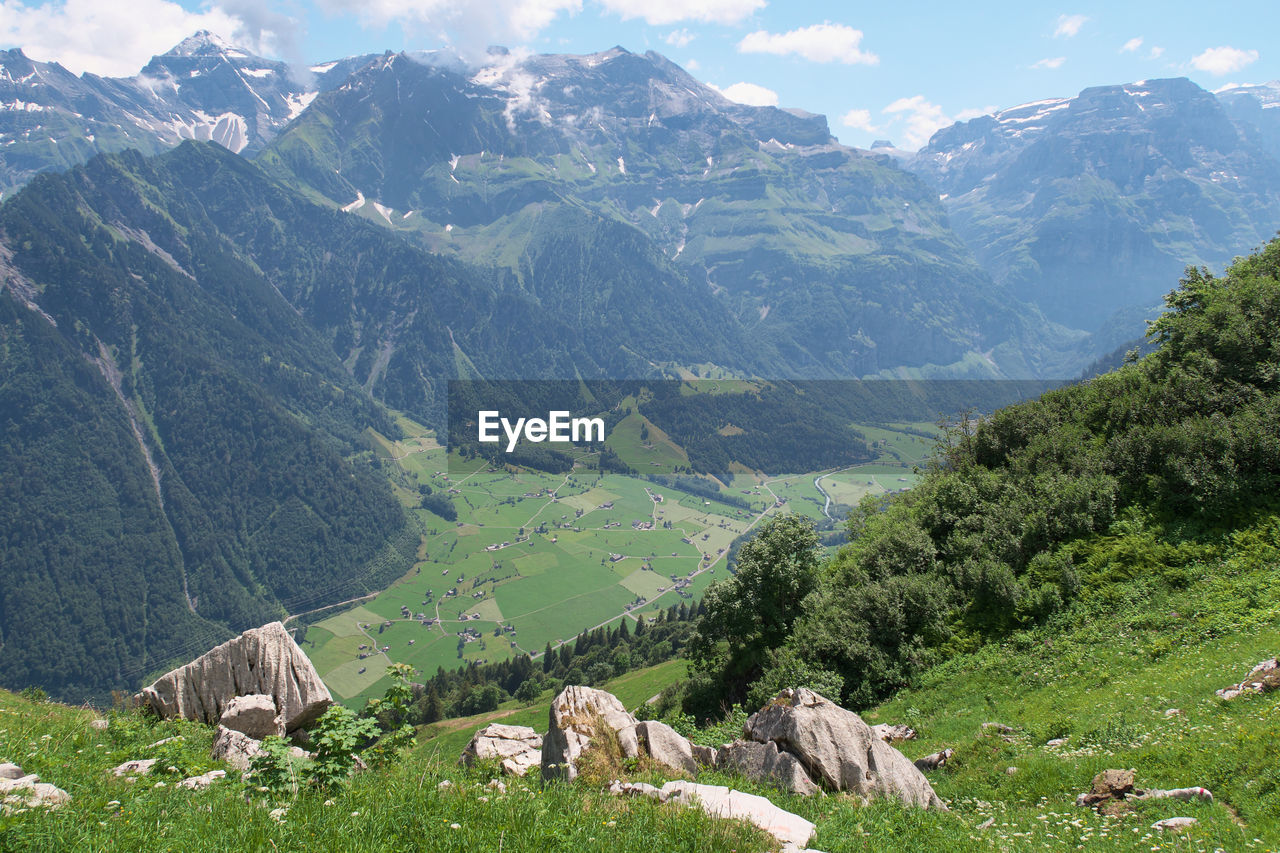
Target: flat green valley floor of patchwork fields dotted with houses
(537, 558)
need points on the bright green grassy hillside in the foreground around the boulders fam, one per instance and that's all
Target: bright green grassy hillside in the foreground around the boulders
(1104, 678)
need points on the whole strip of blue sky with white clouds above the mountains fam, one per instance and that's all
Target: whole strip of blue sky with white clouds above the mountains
(877, 71)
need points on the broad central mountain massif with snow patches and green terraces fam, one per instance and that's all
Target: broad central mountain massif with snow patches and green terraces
(835, 264)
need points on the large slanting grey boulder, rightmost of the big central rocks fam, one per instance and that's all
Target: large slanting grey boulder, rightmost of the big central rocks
(838, 749)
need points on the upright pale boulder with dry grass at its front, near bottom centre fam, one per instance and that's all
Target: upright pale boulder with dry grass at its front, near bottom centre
(578, 717)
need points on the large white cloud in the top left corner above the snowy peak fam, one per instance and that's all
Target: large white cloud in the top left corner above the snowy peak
(107, 38)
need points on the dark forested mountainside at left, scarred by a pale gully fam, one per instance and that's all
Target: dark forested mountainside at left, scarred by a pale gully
(175, 439)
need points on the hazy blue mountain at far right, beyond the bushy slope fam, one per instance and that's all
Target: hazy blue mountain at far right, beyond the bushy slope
(1092, 204)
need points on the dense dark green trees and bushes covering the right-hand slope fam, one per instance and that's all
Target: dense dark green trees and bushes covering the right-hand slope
(1022, 514)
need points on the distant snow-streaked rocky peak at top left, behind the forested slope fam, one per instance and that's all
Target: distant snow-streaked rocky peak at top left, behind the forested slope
(203, 89)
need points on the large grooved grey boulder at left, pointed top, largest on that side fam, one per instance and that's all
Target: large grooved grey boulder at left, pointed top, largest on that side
(260, 662)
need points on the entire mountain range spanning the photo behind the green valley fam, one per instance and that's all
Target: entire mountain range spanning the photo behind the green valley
(199, 327)
